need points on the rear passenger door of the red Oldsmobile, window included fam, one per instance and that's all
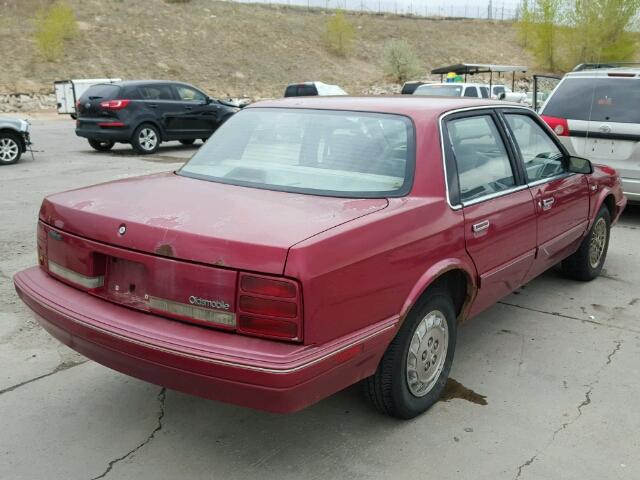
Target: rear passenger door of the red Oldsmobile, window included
(499, 213)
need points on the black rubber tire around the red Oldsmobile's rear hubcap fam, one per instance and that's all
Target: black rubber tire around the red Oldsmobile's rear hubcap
(388, 389)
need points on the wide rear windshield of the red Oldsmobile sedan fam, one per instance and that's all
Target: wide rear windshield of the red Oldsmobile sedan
(322, 152)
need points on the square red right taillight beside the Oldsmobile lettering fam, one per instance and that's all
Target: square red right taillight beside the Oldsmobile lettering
(269, 307)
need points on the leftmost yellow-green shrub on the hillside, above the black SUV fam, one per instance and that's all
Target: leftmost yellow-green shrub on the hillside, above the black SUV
(54, 25)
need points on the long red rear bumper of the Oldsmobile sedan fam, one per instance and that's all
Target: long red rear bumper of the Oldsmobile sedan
(250, 372)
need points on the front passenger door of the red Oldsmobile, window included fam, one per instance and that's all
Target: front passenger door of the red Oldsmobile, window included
(561, 198)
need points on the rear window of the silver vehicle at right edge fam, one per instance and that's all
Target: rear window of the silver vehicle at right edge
(596, 99)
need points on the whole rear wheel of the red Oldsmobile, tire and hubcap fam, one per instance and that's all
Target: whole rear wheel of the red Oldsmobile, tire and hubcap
(415, 367)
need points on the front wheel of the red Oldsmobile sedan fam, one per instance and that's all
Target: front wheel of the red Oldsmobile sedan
(581, 265)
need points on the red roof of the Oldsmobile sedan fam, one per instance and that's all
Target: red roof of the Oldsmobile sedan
(408, 105)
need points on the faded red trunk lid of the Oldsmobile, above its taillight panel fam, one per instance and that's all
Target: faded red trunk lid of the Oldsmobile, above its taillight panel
(199, 221)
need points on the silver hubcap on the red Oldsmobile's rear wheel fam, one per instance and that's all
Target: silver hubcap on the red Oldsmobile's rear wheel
(427, 353)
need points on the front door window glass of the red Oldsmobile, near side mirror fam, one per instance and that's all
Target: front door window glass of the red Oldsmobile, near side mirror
(541, 156)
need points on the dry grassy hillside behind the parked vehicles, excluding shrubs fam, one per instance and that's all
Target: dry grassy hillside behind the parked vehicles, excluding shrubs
(233, 49)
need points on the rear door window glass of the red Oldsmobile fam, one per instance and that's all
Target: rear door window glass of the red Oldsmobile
(481, 157)
